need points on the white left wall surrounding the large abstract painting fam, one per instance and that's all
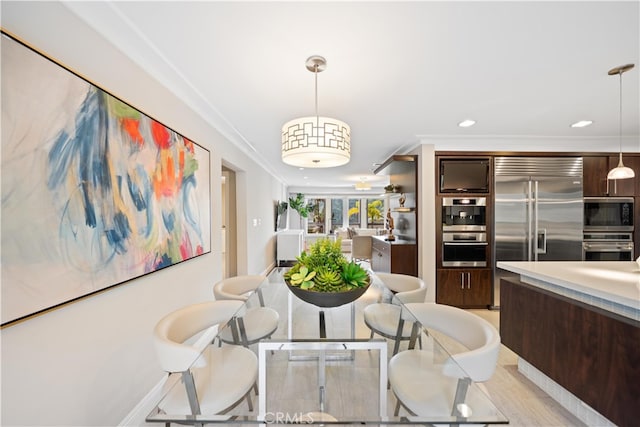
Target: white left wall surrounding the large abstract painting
(90, 362)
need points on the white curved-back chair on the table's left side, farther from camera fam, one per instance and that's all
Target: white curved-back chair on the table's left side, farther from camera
(256, 323)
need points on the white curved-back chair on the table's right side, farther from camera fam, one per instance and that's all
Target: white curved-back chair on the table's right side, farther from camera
(389, 319)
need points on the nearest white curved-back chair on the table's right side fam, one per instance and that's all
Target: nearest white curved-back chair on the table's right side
(410, 371)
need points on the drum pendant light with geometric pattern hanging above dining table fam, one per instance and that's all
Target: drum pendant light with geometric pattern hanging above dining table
(316, 142)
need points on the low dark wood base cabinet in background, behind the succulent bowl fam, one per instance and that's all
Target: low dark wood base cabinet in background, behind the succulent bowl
(387, 257)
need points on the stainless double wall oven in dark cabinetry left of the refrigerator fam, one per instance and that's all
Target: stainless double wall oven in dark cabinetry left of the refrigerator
(464, 232)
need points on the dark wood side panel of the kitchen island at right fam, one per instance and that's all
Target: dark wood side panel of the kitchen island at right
(591, 352)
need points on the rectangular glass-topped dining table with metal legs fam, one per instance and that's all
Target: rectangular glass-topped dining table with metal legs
(322, 366)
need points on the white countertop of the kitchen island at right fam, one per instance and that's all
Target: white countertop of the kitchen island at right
(614, 281)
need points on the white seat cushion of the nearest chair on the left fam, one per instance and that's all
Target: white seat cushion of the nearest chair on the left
(229, 372)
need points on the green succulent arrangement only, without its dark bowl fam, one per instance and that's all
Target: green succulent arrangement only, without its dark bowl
(325, 269)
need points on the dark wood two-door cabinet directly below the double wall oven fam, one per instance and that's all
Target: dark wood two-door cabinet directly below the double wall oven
(460, 287)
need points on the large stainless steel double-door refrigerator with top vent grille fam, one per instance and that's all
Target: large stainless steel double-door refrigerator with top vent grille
(538, 212)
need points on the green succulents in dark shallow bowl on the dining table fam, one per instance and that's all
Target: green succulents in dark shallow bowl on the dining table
(324, 277)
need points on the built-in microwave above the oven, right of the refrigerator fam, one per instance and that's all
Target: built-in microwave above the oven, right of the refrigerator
(608, 213)
